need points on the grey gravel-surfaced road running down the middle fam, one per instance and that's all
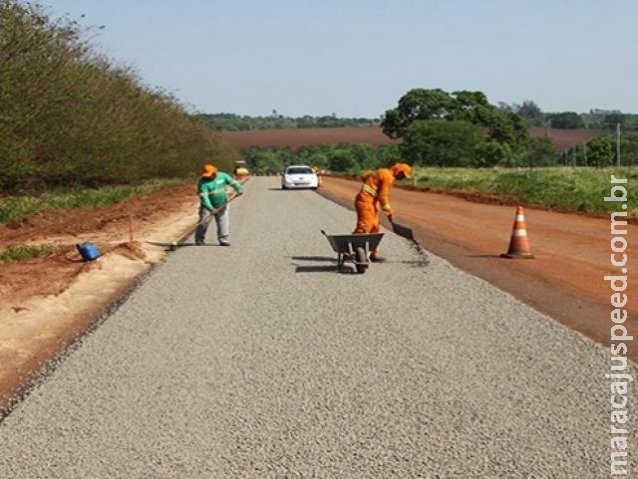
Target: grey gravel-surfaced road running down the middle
(261, 360)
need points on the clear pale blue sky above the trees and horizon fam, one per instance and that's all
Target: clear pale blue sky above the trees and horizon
(357, 58)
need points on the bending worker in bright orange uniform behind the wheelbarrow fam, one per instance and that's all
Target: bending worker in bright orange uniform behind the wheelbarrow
(375, 192)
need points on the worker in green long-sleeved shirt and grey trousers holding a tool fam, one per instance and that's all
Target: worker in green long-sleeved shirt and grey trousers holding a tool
(213, 199)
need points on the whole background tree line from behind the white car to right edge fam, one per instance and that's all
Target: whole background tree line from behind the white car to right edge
(450, 129)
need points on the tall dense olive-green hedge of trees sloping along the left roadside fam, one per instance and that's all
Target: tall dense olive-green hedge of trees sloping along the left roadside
(68, 117)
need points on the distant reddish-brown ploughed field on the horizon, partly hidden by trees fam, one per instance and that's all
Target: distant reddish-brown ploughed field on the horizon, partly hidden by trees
(296, 138)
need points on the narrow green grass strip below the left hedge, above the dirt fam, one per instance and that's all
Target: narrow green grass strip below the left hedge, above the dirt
(14, 207)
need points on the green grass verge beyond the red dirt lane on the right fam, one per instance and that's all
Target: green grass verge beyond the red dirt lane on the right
(566, 189)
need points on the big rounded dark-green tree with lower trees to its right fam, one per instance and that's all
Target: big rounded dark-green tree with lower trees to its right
(461, 128)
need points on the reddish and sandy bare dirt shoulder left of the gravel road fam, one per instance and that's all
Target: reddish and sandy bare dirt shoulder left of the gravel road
(45, 304)
